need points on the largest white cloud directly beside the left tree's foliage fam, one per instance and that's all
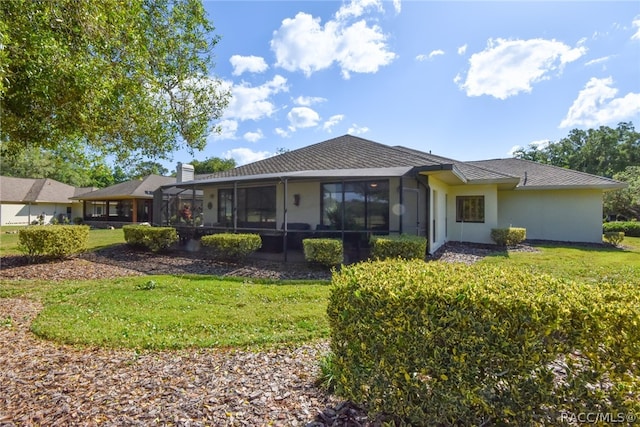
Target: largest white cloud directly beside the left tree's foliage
(253, 103)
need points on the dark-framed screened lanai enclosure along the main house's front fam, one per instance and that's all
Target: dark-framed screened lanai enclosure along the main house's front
(286, 208)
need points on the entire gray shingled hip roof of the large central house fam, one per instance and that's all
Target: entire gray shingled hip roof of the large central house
(336, 156)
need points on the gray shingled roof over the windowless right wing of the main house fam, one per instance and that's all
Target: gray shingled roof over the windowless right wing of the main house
(535, 175)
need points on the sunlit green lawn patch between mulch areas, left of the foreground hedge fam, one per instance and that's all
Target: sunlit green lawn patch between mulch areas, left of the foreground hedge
(165, 312)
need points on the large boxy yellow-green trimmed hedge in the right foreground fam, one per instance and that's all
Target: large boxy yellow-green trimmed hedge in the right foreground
(449, 344)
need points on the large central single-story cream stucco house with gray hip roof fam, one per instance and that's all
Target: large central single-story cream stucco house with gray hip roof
(353, 187)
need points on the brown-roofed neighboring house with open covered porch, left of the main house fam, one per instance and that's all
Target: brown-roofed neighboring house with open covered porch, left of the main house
(127, 202)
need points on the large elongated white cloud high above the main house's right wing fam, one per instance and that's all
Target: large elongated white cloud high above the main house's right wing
(508, 67)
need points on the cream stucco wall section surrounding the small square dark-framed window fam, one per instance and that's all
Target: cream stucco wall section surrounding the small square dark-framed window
(471, 231)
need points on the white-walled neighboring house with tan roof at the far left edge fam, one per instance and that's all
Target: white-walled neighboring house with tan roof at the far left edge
(25, 200)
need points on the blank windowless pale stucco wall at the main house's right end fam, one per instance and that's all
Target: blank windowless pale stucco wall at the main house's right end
(561, 215)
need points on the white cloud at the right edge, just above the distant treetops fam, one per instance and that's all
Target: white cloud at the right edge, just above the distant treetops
(597, 105)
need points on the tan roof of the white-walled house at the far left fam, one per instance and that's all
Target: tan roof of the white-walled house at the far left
(35, 190)
